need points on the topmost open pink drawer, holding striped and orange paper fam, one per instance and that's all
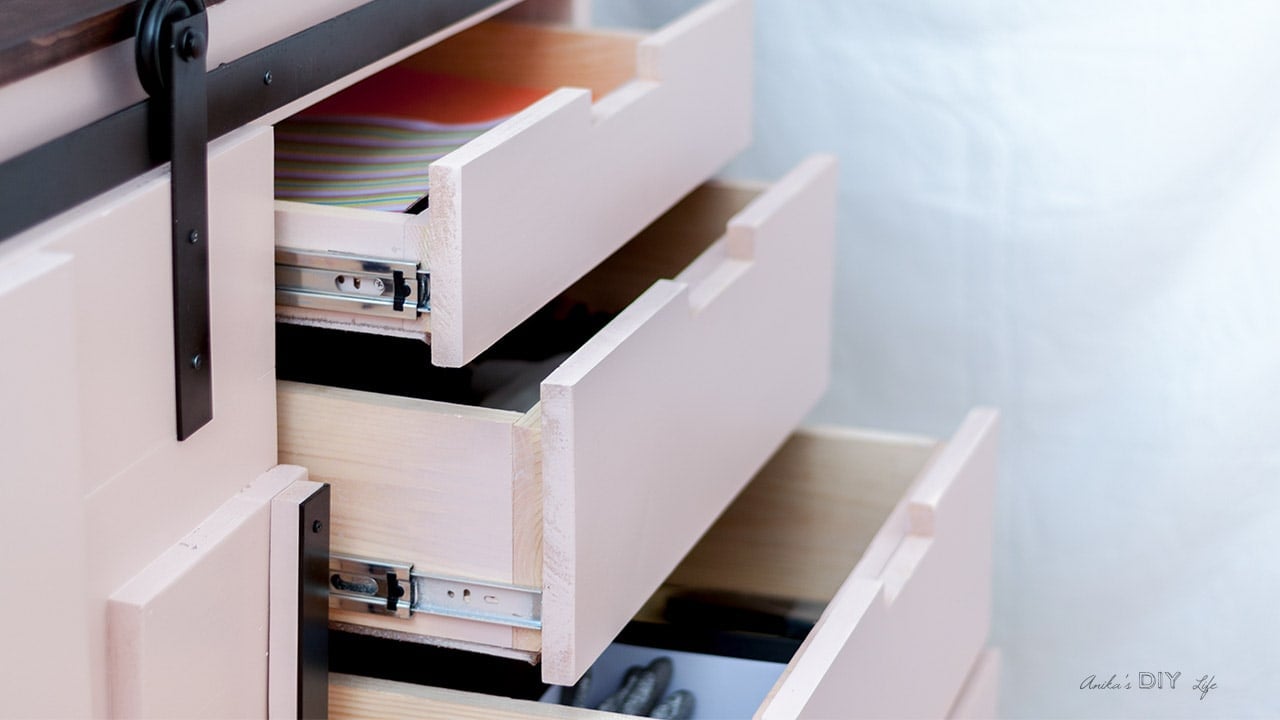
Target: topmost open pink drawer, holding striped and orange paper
(625, 126)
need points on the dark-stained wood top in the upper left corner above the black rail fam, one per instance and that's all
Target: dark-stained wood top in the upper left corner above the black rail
(36, 35)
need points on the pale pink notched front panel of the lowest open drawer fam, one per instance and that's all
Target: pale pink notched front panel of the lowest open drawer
(900, 636)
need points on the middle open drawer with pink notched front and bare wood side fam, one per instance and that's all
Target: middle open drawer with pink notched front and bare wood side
(641, 440)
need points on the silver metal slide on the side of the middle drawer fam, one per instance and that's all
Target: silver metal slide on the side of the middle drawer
(385, 587)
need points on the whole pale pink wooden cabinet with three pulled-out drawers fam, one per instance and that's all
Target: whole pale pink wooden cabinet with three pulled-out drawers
(592, 500)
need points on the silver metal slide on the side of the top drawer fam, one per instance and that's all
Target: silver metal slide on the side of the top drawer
(351, 284)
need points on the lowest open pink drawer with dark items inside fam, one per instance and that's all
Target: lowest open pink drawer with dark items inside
(893, 534)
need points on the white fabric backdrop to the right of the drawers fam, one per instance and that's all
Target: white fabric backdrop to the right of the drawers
(1067, 211)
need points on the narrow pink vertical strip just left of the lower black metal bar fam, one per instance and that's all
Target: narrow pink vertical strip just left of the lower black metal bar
(282, 692)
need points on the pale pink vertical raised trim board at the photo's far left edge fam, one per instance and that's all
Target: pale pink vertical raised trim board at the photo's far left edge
(42, 508)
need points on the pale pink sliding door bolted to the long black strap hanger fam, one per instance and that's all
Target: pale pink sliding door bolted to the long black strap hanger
(93, 471)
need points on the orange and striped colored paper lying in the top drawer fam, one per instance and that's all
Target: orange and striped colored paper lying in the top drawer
(371, 147)
